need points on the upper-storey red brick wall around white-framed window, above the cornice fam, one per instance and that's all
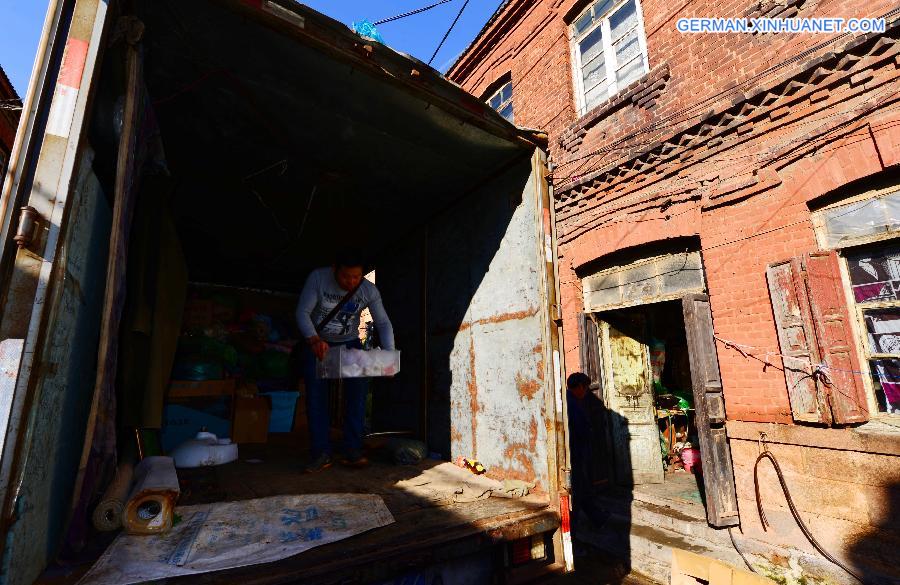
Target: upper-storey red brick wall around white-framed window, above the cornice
(531, 41)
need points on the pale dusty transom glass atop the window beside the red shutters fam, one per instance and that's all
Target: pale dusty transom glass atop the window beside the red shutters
(864, 218)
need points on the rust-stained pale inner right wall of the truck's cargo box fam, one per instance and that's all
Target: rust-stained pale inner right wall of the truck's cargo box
(487, 316)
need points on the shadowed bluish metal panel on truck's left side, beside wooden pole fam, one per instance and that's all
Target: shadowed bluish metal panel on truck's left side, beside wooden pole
(65, 377)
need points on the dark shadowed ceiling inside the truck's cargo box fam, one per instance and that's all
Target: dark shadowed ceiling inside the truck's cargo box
(282, 153)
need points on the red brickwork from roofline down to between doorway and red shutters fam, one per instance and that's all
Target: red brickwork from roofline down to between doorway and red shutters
(746, 196)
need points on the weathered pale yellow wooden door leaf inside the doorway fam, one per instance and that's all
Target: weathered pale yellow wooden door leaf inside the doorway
(629, 396)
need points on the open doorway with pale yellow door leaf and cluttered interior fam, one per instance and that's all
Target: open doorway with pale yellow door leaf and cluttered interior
(653, 443)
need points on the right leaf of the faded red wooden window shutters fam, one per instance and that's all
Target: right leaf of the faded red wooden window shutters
(843, 384)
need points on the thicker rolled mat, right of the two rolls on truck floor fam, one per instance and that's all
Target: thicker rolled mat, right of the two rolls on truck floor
(151, 506)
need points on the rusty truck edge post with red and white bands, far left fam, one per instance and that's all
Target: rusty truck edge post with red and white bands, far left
(29, 532)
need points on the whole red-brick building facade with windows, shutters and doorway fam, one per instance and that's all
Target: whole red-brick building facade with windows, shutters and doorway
(755, 173)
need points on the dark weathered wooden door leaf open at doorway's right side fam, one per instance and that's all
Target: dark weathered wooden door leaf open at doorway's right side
(715, 454)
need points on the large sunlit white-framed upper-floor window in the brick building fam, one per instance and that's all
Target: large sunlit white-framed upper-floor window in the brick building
(609, 50)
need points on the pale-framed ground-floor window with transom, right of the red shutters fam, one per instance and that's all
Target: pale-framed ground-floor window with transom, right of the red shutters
(866, 230)
